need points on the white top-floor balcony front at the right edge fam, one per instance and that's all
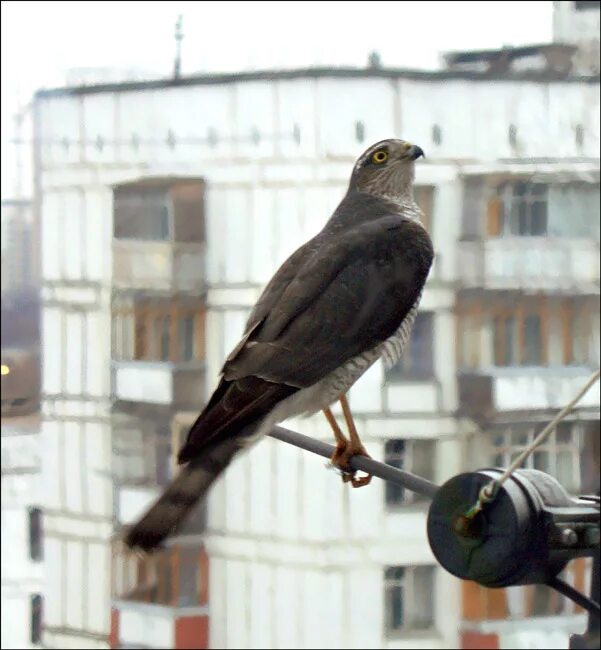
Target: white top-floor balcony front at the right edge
(530, 263)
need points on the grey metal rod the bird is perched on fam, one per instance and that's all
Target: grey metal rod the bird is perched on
(369, 465)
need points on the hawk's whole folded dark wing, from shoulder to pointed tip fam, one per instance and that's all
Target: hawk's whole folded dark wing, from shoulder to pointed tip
(331, 301)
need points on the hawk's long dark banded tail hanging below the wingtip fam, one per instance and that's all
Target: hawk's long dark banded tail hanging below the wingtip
(175, 504)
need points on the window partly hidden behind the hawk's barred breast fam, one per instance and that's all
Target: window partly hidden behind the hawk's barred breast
(417, 361)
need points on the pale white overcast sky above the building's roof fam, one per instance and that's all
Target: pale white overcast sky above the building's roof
(41, 40)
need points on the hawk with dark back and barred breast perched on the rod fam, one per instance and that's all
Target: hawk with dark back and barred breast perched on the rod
(344, 299)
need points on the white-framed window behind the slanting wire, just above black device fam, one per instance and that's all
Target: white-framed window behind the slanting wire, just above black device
(561, 455)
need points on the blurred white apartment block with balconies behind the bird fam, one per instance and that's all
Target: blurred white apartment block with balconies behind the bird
(162, 207)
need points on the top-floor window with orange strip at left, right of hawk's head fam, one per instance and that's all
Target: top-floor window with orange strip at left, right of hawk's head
(521, 210)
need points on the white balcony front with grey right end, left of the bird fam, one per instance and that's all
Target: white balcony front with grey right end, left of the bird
(181, 385)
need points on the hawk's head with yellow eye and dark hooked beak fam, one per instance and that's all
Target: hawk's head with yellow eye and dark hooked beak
(386, 169)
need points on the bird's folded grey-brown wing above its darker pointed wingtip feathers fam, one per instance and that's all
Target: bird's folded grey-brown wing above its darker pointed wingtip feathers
(349, 295)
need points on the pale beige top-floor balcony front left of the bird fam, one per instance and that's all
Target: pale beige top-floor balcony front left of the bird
(158, 265)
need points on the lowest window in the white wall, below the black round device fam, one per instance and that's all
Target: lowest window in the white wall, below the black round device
(409, 599)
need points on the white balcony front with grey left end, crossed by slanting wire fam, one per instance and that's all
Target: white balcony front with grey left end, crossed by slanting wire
(485, 393)
